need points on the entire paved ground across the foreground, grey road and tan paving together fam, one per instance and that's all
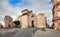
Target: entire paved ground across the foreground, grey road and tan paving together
(29, 32)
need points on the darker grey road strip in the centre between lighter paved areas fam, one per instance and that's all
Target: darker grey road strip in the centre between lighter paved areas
(25, 32)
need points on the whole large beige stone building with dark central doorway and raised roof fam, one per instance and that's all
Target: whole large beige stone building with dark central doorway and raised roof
(28, 19)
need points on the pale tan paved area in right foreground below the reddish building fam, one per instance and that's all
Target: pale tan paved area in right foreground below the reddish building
(47, 33)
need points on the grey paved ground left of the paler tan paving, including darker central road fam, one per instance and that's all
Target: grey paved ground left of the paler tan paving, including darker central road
(17, 32)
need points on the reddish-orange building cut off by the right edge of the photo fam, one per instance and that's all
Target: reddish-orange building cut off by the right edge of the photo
(56, 13)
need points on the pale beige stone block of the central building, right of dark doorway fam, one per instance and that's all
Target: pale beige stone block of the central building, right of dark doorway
(41, 20)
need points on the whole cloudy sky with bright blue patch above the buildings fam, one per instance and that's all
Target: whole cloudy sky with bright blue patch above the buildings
(14, 8)
